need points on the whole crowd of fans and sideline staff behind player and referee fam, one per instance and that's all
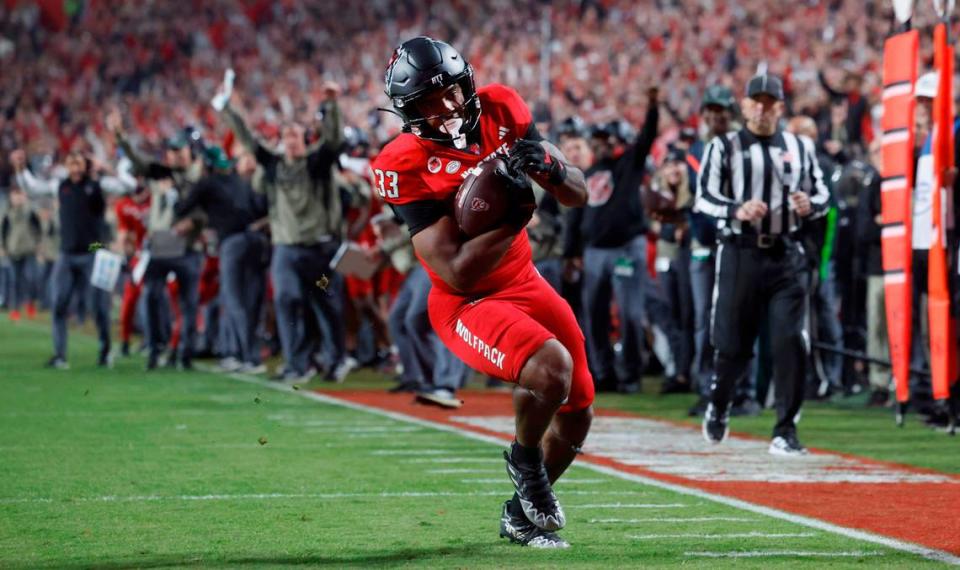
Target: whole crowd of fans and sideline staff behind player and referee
(118, 94)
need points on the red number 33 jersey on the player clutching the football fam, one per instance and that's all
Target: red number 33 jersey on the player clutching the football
(410, 169)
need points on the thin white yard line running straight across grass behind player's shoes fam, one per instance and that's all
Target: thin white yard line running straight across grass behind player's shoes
(265, 496)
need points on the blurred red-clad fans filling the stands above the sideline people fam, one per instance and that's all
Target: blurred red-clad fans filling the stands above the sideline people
(66, 63)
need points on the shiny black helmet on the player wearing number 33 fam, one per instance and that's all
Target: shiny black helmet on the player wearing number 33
(423, 66)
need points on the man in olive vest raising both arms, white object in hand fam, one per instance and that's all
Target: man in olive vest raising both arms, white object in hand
(306, 225)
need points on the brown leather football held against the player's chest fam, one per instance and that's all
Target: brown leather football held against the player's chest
(482, 201)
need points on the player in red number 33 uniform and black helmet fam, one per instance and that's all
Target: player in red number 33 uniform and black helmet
(488, 304)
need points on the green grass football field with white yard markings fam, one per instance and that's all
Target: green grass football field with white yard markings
(120, 469)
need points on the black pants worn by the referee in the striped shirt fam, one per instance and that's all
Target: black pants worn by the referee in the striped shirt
(753, 282)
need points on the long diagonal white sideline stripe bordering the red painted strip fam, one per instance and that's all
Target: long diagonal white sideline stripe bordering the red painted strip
(856, 534)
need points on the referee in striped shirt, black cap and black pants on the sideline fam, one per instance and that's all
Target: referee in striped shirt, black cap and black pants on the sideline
(760, 182)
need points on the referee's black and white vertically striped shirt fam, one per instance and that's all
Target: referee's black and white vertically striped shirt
(741, 166)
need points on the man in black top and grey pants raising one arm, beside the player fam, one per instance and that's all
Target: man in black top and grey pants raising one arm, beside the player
(609, 233)
